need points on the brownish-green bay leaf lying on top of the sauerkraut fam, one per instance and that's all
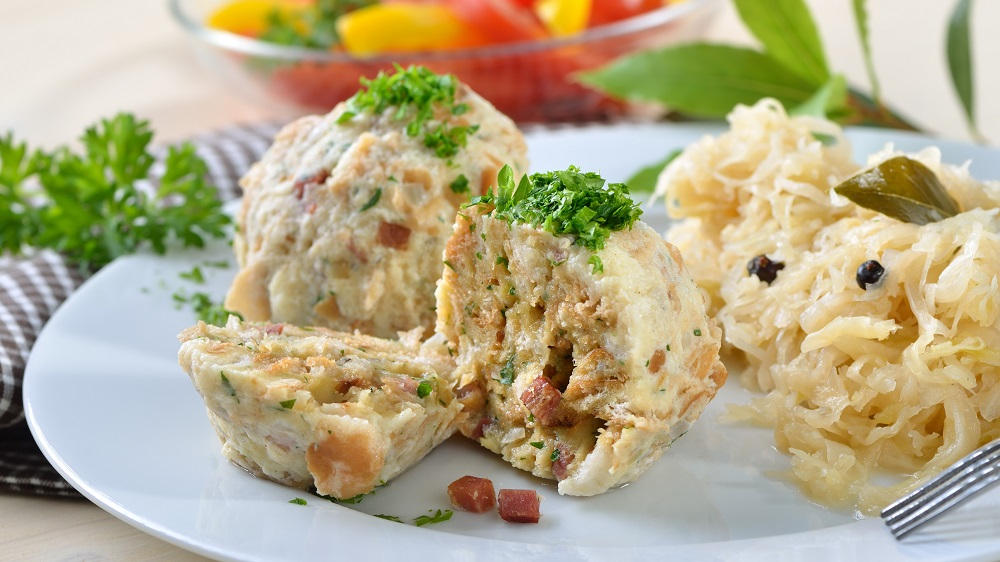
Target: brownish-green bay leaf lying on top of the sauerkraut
(901, 188)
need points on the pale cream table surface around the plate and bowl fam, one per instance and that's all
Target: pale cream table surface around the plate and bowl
(65, 63)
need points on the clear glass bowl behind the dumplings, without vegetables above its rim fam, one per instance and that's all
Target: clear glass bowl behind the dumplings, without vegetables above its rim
(531, 81)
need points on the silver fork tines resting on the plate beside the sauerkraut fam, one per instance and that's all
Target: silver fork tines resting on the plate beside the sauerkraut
(958, 483)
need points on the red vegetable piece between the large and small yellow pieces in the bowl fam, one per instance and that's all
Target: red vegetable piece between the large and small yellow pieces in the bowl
(502, 21)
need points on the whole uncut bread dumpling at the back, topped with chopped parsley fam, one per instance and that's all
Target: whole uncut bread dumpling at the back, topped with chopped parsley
(345, 217)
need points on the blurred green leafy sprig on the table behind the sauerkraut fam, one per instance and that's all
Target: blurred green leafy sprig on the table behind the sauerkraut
(707, 80)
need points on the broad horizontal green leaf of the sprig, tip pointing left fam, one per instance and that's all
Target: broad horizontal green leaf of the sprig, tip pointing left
(701, 79)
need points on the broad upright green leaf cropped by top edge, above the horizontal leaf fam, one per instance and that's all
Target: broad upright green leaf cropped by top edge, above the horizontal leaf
(789, 35)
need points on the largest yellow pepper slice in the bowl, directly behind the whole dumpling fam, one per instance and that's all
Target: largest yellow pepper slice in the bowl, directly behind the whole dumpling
(381, 28)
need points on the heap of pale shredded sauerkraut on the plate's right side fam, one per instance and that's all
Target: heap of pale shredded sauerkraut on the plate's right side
(900, 379)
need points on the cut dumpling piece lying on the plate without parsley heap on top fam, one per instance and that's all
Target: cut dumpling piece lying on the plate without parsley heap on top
(313, 407)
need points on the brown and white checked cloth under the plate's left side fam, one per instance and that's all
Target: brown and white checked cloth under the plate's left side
(32, 287)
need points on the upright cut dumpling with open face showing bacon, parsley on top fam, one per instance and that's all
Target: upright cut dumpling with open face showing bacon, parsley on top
(581, 340)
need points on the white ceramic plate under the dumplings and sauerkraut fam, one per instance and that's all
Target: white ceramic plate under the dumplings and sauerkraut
(119, 419)
